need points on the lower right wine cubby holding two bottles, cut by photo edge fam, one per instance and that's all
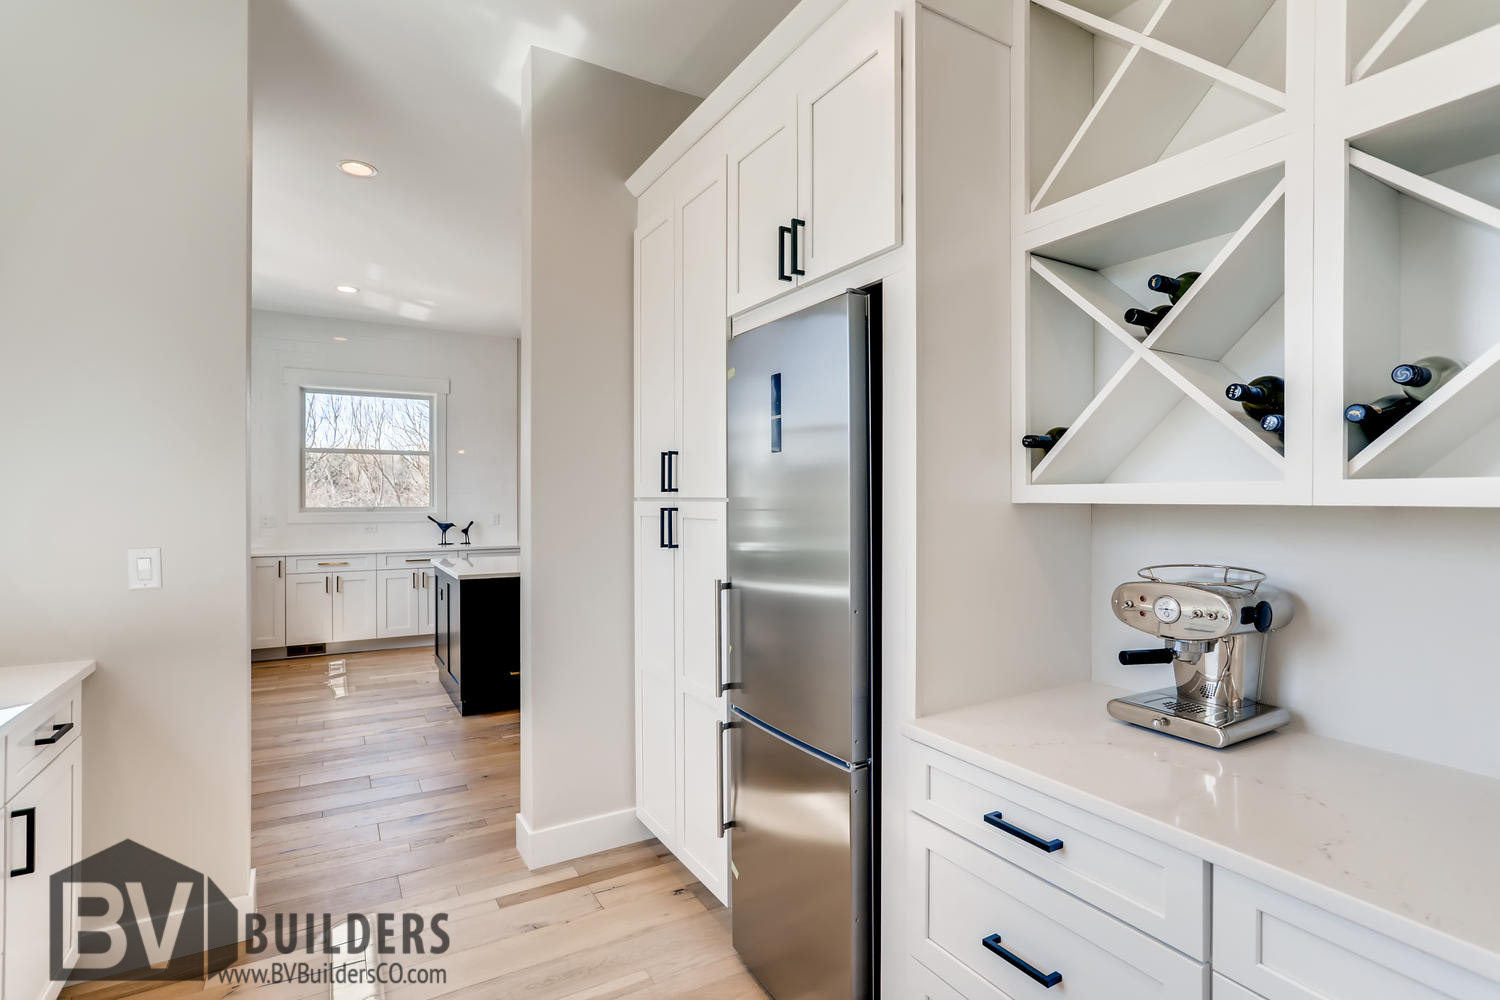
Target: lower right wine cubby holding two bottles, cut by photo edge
(1423, 281)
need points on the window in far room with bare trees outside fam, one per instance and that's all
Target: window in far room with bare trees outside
(367, 451)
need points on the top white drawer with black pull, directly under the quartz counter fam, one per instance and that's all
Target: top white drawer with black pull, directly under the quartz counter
(1151, 887)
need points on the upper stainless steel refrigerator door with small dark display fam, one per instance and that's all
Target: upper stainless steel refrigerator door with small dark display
(800, 525)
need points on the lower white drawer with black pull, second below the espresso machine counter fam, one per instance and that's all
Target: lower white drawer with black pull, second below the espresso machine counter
(971, 906)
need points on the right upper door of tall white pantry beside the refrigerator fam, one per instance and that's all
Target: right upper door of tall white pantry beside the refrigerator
(701, 241)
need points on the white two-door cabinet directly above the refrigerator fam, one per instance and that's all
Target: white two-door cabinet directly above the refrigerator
(815, 160)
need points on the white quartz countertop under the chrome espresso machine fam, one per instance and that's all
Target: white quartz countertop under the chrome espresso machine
(1397, 845)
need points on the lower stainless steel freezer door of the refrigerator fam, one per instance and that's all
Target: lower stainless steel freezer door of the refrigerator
(802, 867)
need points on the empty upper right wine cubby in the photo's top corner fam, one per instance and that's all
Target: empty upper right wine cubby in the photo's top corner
(1385, 34)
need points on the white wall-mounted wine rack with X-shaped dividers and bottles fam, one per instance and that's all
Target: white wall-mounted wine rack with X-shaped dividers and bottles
(1333, 169)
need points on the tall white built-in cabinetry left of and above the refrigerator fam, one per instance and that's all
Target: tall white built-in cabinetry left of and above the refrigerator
(799, 181)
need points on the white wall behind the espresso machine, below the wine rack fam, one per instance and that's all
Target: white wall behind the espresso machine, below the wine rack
(1393, 641)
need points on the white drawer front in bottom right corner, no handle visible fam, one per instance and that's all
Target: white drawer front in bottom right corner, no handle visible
(1289, 950)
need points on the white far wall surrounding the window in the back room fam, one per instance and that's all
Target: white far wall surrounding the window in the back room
(482, 418)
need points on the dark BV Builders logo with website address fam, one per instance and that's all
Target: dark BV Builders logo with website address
(130, 914)
